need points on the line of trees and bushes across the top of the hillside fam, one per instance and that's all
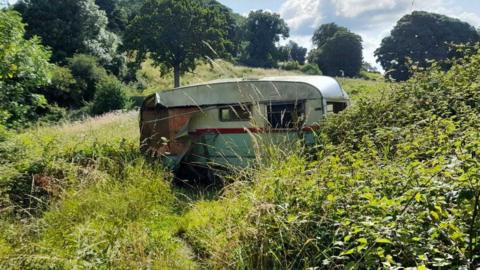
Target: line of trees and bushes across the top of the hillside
(82, 54)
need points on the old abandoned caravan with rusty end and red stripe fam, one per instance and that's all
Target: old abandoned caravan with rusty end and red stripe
(214, 123)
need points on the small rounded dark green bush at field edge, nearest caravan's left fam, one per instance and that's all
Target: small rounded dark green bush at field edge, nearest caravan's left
(110, 95)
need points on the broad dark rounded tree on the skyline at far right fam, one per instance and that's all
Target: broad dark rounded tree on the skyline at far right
(420, 37)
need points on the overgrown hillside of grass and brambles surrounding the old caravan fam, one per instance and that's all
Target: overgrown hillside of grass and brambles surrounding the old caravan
(393, 183)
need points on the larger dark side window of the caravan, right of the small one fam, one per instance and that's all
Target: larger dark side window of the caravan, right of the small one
(286, 115)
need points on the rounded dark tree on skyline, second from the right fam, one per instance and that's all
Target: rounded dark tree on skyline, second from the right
(338, 52)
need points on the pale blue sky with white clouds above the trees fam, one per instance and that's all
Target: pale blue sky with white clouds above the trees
(371, 19)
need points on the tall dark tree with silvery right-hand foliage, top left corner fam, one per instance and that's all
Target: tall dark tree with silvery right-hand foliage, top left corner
(70, 27)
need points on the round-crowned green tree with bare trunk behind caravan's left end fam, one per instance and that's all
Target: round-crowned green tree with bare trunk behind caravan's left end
(176, 33)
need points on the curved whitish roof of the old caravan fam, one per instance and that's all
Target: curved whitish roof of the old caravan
(233, 91)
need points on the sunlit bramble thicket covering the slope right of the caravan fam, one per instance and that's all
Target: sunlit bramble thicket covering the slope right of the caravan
(395, 183)
